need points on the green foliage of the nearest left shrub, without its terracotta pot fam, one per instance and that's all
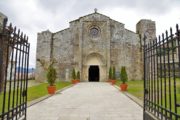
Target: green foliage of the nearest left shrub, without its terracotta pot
(51, 75)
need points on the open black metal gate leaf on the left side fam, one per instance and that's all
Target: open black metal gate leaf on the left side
(14, 61)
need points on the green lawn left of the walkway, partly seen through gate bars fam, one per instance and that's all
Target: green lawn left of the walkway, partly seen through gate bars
(35, 92)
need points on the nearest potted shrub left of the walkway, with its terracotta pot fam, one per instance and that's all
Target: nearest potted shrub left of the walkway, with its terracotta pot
(51, 78)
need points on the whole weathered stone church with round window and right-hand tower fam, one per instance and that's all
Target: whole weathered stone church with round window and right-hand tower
(91, 45)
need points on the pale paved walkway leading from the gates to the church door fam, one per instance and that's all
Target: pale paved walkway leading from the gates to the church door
(87, 101)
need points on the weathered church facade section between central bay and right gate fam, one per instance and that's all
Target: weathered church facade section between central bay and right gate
(125, 51)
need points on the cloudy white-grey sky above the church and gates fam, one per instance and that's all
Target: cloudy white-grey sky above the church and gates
(33, 16)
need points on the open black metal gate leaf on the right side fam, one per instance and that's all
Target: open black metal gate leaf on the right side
(162, 77)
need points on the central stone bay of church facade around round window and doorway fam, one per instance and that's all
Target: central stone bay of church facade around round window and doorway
(95, 48)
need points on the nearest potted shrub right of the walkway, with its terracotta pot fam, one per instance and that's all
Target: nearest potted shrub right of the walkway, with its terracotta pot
(124, 78)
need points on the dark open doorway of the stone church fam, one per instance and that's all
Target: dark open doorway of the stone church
(94, 73)
